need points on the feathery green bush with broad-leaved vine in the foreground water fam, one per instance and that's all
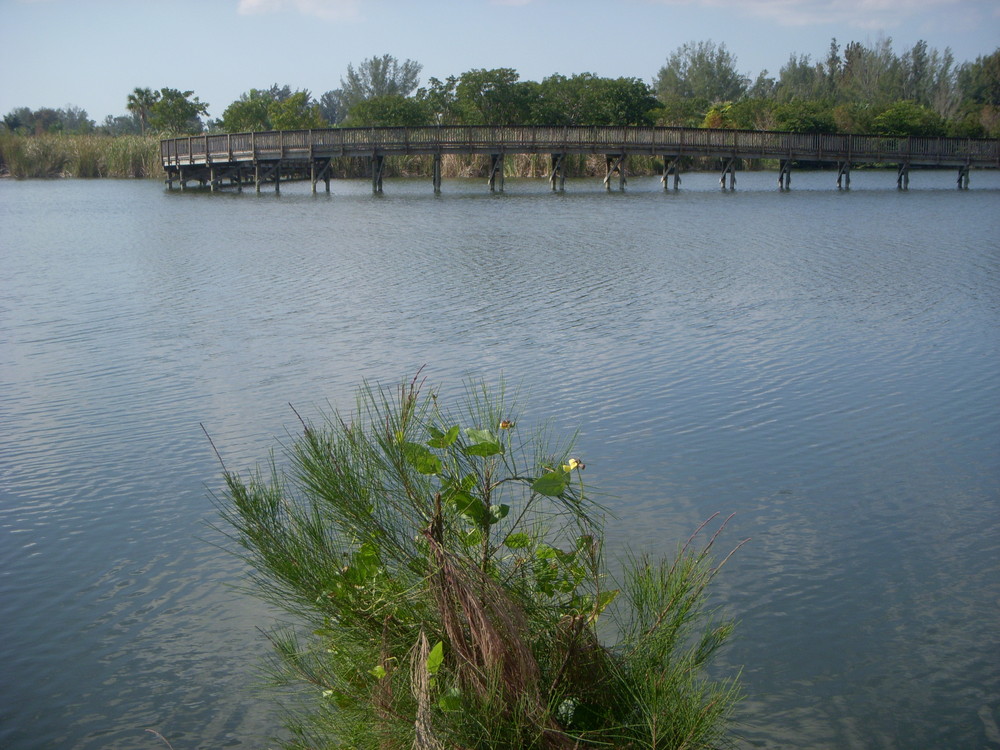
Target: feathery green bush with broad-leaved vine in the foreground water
(448, 567)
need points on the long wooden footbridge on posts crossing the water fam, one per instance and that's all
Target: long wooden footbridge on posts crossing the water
(235, 159)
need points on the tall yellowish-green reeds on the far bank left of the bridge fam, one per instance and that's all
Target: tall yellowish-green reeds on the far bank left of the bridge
(86, 156)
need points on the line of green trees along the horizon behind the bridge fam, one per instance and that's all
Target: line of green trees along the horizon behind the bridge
(855, 88)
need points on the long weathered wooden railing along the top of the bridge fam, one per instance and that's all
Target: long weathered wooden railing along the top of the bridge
(301, 144)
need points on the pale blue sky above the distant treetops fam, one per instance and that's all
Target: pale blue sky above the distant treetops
(93, 53)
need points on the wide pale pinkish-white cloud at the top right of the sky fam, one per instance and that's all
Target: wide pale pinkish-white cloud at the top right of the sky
(864, 14)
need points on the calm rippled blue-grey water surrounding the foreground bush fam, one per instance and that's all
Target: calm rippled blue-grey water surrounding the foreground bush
(824, 364)
